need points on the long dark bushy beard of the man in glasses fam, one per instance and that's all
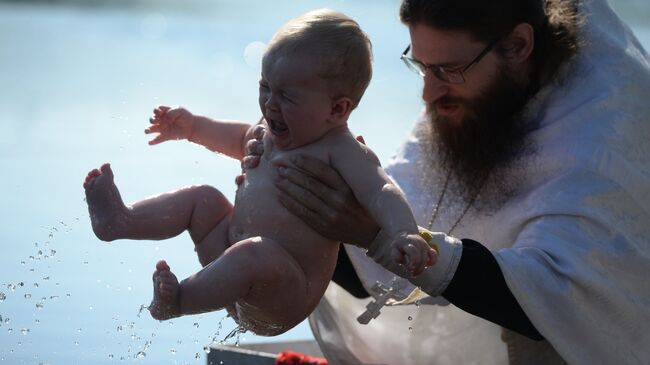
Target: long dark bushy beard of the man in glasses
(490, 135)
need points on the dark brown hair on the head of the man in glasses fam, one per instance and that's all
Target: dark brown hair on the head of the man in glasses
(555, 23)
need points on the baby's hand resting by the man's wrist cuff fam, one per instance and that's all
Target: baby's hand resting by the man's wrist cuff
(413, 252)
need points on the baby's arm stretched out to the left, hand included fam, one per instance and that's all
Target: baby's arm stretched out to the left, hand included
(223, 136)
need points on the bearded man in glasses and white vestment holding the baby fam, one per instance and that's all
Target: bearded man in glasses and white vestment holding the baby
(533, 145)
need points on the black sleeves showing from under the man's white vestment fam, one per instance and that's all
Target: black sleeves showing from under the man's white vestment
(478, 287)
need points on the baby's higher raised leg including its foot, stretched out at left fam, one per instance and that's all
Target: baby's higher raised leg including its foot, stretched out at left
(198, 209)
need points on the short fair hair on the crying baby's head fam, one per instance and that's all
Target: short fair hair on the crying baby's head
(336, 42)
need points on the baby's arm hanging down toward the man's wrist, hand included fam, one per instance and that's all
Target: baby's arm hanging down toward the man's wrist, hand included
(376, 191)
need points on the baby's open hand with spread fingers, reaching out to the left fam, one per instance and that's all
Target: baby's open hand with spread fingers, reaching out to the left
(171, 123)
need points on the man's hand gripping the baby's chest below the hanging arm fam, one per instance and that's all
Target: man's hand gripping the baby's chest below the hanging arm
(316, 193)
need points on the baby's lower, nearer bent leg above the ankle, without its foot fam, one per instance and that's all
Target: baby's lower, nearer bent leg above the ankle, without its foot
(257, 271)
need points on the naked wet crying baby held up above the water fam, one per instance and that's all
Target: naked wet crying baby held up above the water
(261, 263)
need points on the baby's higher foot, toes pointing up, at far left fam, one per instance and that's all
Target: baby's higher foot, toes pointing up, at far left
(108, 214)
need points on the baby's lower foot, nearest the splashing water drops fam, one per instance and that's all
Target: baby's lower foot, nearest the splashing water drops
(165, 303)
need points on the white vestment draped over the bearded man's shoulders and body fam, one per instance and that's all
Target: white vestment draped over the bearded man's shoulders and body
(573, 242)
